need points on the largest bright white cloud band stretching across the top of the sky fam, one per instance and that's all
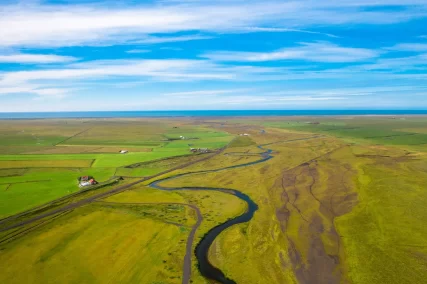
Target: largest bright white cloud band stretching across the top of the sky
(85, 24)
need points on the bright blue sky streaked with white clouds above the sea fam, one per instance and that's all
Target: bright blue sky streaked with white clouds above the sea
(182, 55)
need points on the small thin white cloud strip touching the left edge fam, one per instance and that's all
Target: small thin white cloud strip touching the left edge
(34, 58)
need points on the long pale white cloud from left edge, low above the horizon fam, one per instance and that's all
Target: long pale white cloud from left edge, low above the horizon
(154, 70)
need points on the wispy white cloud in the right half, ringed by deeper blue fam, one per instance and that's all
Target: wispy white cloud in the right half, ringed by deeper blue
(316, 52)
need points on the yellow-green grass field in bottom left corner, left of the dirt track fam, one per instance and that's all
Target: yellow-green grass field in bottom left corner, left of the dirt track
(97, 245)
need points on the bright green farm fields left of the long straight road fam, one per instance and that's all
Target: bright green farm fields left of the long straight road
(38, 172)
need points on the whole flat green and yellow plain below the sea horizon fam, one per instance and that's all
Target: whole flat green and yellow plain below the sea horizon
(337, 200)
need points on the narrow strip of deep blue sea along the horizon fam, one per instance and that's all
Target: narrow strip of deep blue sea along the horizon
(202, 113)
